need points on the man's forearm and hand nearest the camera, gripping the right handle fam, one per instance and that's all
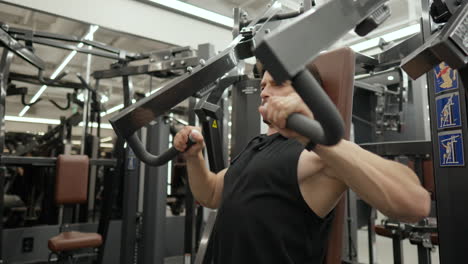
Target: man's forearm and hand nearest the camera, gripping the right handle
(391, 187)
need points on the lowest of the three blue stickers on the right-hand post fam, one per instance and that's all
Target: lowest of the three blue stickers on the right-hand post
(451, 149)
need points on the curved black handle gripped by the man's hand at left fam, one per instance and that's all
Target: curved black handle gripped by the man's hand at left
(150, 159)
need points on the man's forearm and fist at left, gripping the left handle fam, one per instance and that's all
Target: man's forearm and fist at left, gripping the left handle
(206, 186)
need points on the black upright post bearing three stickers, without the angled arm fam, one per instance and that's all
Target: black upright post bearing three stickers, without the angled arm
(448, 117)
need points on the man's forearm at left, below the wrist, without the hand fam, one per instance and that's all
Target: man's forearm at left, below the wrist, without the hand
(202, 181)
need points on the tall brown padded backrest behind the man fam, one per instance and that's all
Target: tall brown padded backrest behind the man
(336, 69)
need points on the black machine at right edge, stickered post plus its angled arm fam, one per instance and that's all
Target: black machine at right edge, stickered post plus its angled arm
(444, 59)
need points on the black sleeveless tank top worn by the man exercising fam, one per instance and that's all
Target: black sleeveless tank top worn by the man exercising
(263, 217)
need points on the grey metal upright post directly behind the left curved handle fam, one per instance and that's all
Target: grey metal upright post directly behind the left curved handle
(155, 196)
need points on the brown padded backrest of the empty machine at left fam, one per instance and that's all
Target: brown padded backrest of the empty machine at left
(71, 181)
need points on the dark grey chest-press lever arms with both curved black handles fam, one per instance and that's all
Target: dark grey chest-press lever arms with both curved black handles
(284, 62)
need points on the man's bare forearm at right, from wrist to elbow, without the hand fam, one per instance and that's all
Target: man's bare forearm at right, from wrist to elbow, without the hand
(390, 187)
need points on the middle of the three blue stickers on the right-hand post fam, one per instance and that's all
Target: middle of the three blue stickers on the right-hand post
(448, 110)
